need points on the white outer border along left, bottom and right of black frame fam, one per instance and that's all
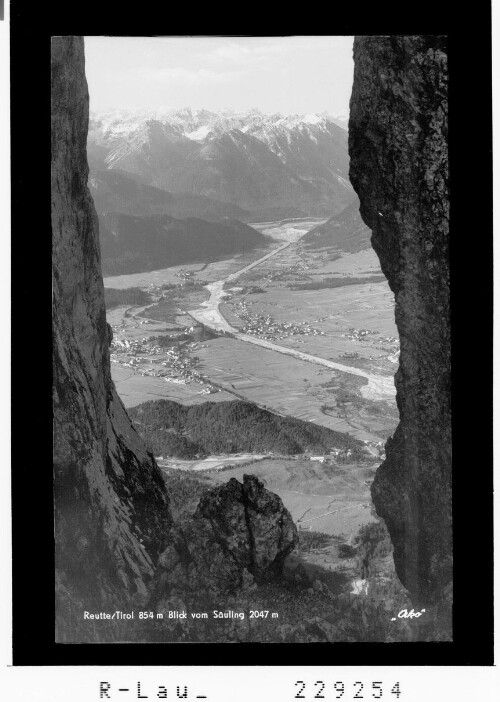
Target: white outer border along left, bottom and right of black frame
(220, 684)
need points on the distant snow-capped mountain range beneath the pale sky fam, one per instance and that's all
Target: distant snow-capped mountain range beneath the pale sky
(259, 162)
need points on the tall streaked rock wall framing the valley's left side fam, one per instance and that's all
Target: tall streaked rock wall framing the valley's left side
(111, 508)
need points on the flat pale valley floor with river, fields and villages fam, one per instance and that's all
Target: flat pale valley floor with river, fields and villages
(294, 374)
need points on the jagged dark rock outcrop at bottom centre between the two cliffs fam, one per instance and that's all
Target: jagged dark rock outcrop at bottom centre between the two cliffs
(240, 535)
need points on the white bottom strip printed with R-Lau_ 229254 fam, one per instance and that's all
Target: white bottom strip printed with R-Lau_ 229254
(253, 684)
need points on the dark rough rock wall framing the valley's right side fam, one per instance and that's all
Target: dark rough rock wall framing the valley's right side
(399, 168)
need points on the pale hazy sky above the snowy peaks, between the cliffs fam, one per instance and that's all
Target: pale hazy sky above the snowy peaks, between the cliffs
(275, 74)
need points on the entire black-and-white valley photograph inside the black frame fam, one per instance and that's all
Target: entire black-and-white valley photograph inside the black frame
(251, 339)
